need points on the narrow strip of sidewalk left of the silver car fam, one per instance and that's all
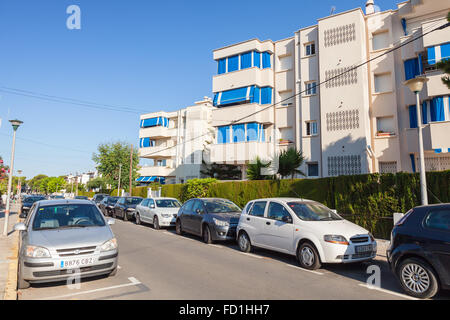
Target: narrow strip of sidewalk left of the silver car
(8, 255)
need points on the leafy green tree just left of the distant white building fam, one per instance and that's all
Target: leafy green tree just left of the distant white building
(110, 156)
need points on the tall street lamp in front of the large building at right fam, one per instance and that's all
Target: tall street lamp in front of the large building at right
(416, 85)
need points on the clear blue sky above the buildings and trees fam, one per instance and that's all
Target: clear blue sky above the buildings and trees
(146, 55)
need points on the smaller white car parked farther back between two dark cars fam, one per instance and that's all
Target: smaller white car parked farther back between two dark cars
(160, 212)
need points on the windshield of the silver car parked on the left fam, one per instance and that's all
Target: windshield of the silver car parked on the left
(67, 216)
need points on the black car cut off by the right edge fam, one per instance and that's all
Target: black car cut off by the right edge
(419, 253)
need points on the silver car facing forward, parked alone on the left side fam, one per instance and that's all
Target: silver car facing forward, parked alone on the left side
(63, 239)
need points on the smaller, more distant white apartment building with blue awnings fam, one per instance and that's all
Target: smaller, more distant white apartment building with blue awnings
(174, 144)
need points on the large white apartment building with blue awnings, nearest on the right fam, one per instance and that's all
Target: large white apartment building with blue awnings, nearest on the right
(268, 98)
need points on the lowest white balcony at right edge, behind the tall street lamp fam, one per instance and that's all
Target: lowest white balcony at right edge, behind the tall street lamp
(435, 136)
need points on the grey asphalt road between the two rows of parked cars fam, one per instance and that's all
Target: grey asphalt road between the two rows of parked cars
(162, 265)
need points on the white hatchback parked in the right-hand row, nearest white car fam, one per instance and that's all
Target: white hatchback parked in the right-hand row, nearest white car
(307, 229)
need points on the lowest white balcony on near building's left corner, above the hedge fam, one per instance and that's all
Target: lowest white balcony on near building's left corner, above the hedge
(241, 152)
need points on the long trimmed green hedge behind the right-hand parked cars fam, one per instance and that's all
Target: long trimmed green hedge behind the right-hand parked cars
(368, 200)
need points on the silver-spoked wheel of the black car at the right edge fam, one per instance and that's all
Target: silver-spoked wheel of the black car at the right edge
(417, 278)
